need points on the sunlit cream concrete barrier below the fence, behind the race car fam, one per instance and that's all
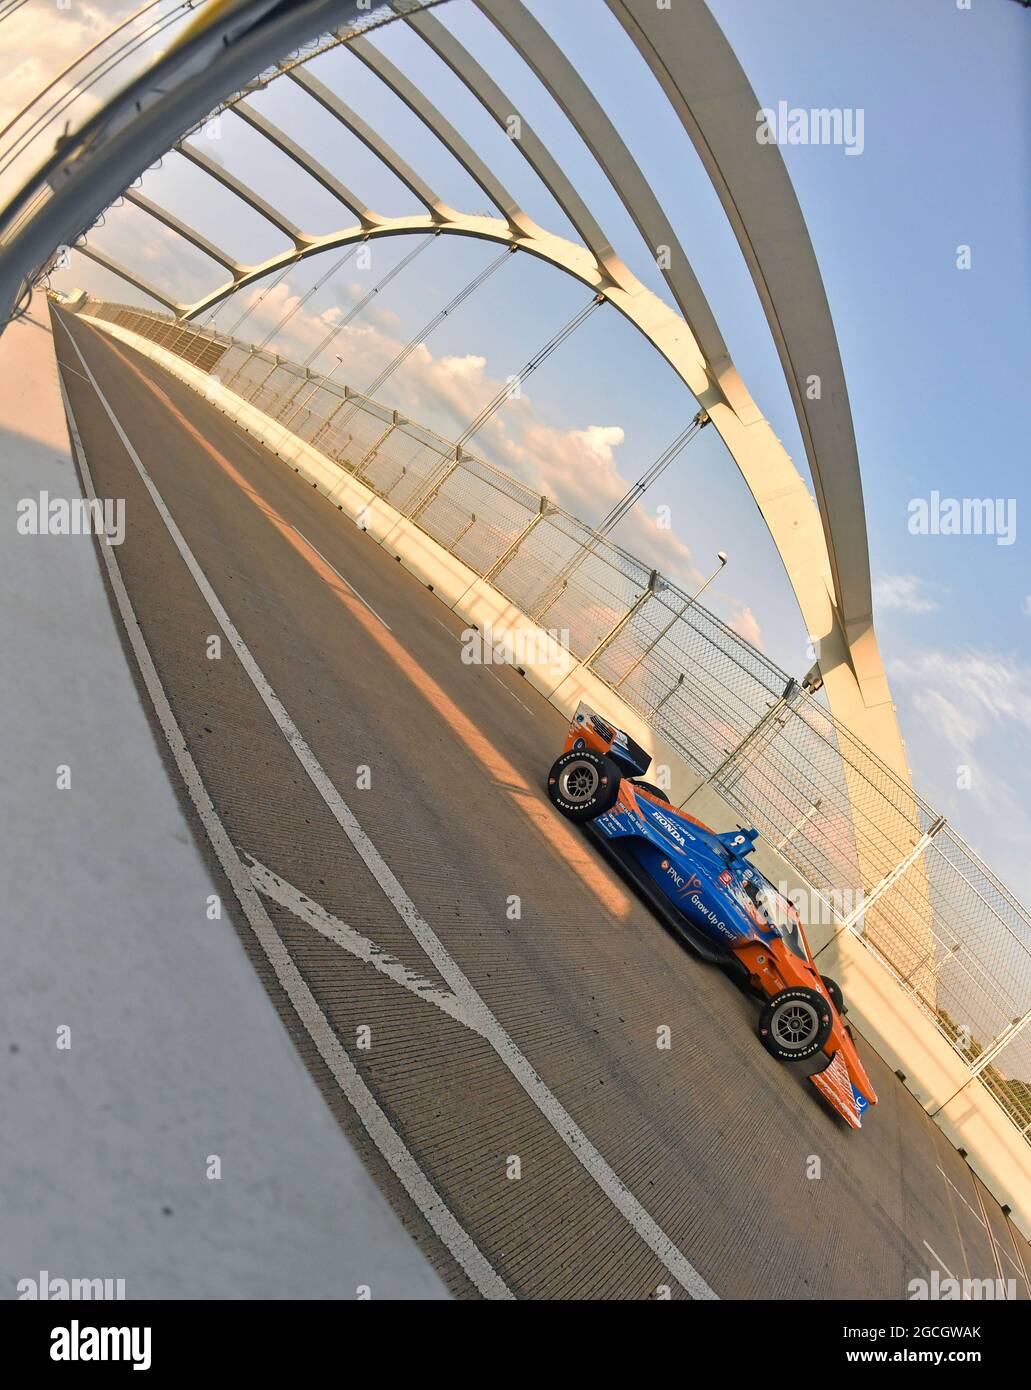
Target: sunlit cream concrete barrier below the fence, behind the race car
(879, 1008)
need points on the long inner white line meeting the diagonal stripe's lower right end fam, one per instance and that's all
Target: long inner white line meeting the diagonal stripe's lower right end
(550, 1106)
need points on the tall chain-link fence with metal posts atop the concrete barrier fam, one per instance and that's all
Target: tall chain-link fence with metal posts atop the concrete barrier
(877, 858)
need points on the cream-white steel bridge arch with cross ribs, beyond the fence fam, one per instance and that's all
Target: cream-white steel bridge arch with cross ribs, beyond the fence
(823, 544)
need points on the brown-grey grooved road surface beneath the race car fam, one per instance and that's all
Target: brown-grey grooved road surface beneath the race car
(479, 996)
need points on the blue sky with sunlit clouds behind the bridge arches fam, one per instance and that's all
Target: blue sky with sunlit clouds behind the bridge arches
(937, 358)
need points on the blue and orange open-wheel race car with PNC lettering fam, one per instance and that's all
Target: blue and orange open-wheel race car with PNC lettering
(704, 886)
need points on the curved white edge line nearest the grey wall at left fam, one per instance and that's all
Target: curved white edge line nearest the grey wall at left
(305, 1004)
